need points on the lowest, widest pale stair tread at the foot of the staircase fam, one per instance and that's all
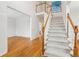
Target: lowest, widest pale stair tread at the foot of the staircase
(57, 52)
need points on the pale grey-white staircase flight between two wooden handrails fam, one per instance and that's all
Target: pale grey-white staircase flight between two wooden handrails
(57, 44)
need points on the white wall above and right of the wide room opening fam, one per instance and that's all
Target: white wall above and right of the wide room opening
(28, 7)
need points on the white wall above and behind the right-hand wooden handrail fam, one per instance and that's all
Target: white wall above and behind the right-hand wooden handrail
(74, 12)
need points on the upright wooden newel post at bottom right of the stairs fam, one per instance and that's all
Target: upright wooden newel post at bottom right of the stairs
(75, 52)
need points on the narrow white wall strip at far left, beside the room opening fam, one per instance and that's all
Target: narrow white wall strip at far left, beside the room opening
(3, 29)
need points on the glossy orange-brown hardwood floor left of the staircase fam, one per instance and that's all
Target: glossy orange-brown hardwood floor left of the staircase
(24, 47)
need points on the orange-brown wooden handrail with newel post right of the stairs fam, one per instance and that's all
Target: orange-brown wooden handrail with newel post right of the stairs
(75, 28)
